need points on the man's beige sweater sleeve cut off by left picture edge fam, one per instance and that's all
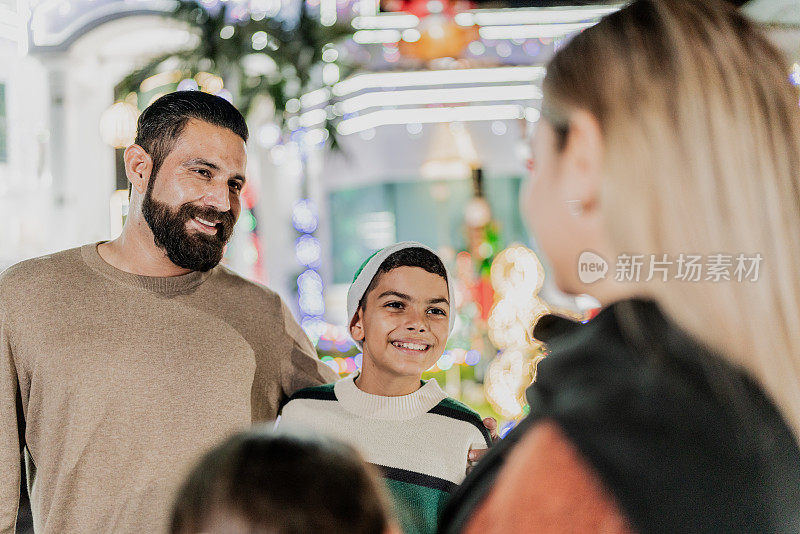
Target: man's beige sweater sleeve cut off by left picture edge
(9, 433)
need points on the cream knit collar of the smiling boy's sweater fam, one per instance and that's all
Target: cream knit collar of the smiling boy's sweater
(391, 408)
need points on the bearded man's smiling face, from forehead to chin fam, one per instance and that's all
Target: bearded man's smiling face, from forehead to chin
(194, 201)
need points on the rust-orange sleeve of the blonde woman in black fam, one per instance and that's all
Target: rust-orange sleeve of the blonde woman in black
(546, 486)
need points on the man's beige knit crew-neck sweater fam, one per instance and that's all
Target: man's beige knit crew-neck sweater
(118, 382)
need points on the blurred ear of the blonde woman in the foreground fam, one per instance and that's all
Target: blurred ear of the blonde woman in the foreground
(582, 158)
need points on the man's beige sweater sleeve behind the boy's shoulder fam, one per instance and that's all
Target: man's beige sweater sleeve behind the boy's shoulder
(301, 367)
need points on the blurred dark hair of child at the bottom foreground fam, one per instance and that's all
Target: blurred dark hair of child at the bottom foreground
(282, 483)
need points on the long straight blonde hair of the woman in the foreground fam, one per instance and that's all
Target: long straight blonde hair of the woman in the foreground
(702, 156)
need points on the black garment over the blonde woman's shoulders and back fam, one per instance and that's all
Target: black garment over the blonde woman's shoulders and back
(684, 441)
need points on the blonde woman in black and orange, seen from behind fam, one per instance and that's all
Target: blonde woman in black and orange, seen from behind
(669, 141)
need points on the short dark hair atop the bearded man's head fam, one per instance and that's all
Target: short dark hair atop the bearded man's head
(163, 121)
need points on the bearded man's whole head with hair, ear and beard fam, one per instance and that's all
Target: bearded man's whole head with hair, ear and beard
(197, 140)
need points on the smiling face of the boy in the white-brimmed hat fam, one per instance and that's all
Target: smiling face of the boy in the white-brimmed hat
(403, 325)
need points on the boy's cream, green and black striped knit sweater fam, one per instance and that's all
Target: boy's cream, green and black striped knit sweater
(418, 441)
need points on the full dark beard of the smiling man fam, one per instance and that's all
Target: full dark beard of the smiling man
(195, 251)
